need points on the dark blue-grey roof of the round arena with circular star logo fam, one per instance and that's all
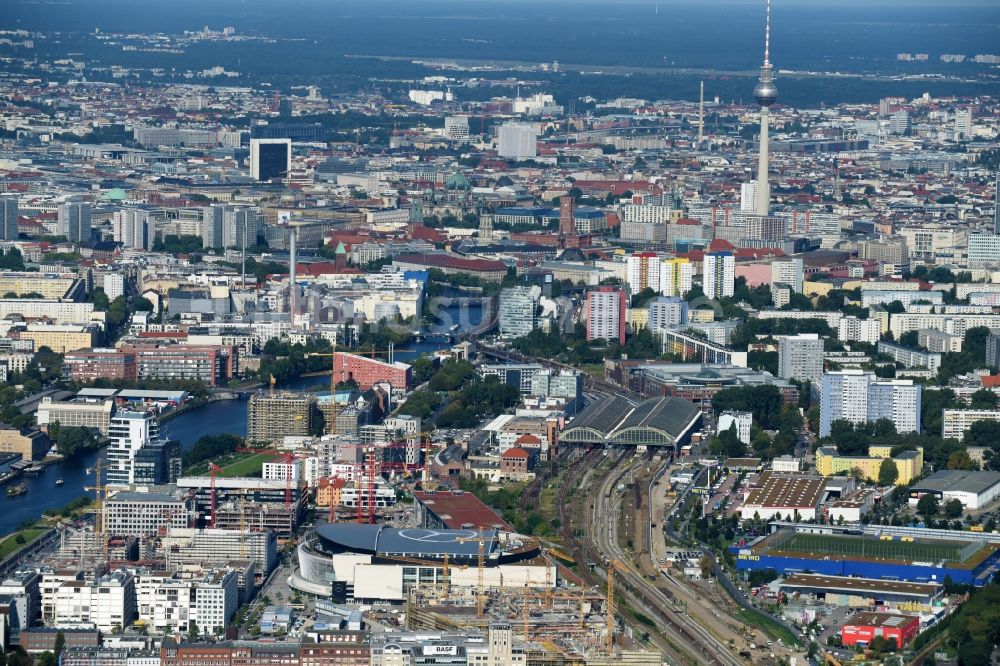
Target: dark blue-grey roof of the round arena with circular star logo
(384, 541)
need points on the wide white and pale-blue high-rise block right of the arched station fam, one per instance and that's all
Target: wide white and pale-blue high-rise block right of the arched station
(859, 397)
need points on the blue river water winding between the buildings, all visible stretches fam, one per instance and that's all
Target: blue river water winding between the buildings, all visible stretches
(222, 416)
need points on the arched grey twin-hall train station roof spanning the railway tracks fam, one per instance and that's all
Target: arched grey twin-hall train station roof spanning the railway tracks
(657, 421)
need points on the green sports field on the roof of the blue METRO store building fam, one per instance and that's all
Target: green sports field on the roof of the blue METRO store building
(871, 547)
